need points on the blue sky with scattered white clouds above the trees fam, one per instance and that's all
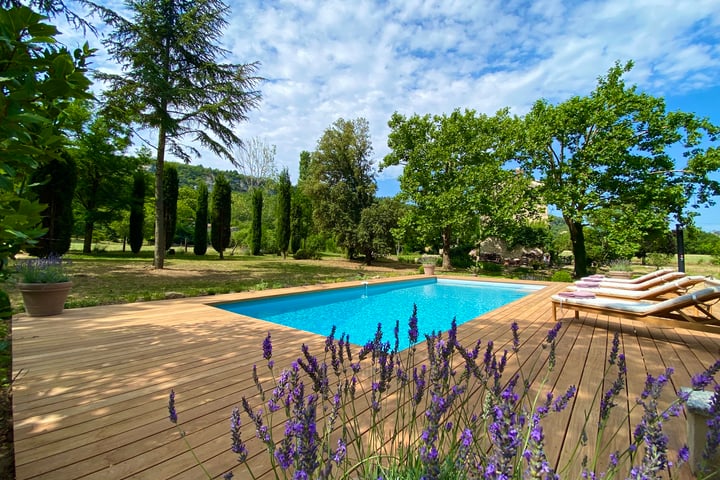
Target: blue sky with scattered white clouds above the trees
(325, 60)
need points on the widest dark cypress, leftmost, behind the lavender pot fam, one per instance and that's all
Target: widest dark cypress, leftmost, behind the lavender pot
(55, 188)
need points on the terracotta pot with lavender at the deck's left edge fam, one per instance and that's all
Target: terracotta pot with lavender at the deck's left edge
(44, 284)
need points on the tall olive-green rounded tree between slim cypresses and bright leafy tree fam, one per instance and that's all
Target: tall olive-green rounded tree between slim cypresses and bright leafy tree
(340, 180)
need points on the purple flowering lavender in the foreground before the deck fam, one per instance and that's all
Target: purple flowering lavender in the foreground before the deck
(377, 414)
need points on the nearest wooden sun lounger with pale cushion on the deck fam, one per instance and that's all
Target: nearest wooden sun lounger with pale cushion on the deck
(670, 309)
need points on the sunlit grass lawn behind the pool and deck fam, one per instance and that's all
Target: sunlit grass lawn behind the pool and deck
(110, 275)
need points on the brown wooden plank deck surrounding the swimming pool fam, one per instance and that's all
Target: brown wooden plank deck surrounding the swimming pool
(91, 389)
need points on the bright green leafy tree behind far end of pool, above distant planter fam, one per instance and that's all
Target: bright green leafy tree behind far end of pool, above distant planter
(453, 174)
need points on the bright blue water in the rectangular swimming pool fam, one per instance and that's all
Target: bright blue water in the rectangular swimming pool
(357, 311)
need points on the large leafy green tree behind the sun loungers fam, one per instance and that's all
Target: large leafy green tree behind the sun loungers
(608, 152)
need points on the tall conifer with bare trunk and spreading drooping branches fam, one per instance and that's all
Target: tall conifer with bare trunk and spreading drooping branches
(171, 81)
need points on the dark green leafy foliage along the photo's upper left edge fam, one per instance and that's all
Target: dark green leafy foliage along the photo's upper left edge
(39, 80)
